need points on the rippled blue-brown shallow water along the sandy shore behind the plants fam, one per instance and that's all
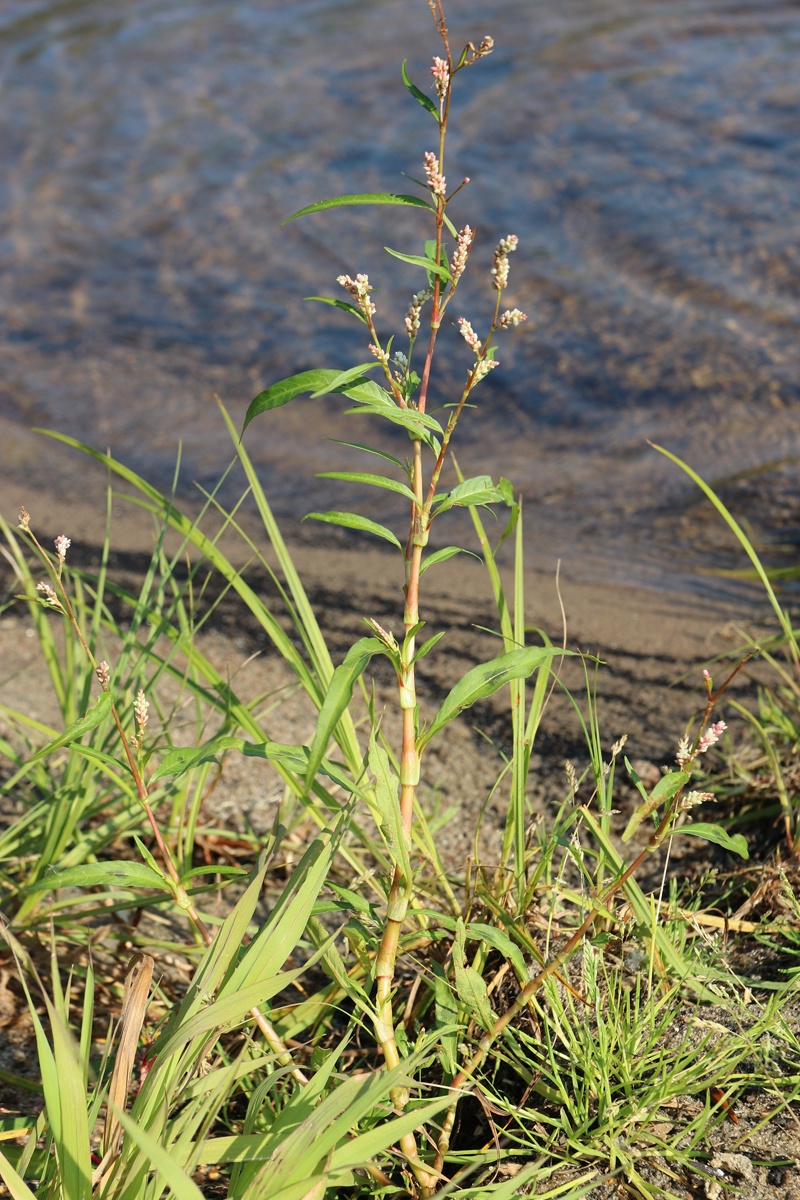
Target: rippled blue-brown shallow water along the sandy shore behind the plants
(646, 153)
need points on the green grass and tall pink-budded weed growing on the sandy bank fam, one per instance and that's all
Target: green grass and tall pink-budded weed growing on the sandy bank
(344, 1013)
